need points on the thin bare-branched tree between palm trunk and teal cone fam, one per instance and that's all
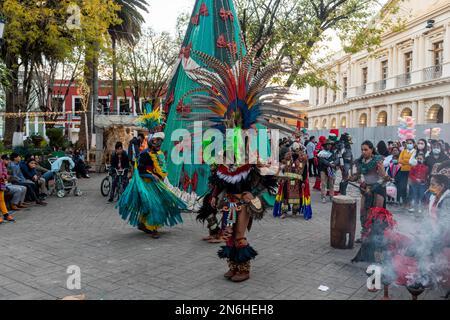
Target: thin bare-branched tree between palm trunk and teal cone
(145, 67)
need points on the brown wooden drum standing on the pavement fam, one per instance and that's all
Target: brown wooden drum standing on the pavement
(343, 222)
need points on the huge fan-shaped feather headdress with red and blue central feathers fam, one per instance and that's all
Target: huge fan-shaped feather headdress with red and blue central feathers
(238, 97)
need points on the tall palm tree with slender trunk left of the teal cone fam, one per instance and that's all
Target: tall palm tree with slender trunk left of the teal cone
(128, 31)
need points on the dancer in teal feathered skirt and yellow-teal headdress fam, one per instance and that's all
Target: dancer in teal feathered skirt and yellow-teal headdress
(147, 201)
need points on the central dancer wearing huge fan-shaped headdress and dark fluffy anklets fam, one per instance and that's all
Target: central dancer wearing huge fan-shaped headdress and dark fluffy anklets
(234, 99)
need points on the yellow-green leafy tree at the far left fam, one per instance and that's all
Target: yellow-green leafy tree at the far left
(39, 30)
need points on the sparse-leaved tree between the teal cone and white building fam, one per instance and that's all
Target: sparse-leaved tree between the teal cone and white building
(298, 30)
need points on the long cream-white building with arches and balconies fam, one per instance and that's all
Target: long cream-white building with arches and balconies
(408, 75)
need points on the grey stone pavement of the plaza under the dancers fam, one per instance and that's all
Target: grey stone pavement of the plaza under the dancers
(120, 262)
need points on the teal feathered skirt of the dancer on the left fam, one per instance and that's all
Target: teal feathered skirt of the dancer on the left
(148, 200)
